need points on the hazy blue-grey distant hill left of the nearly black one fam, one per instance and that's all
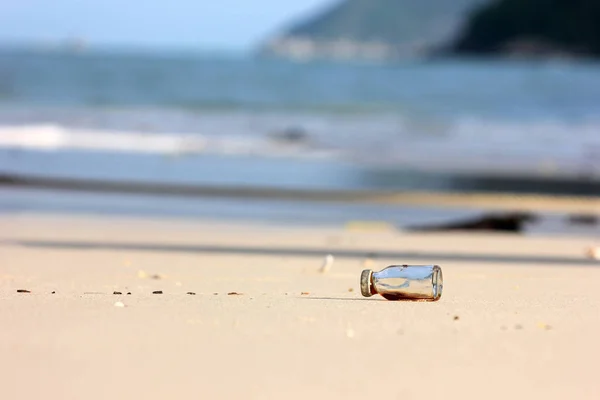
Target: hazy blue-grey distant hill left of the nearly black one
(372, 29)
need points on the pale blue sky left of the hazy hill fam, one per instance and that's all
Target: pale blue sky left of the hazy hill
(201, 24)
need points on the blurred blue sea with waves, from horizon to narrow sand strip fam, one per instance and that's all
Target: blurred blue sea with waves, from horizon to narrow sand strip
(241, 120)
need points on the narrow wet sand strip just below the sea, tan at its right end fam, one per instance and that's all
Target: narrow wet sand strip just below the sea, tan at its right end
(490, 201)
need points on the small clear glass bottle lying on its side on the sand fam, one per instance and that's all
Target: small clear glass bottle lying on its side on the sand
(404, 282)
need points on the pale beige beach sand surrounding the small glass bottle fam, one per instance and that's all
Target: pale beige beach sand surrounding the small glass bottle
(519, 316)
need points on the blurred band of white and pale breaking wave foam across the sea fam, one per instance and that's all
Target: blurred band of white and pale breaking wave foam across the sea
(466, 146)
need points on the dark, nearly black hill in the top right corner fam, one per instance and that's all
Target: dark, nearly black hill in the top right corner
(533, 27)
